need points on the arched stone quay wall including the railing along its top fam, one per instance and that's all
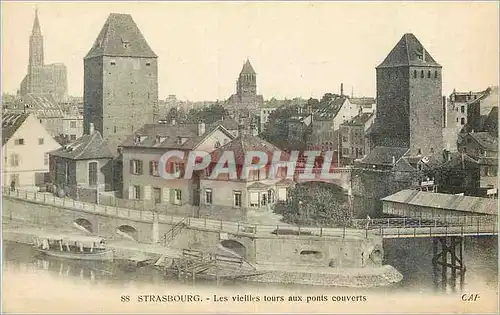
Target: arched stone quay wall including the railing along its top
(322, 247)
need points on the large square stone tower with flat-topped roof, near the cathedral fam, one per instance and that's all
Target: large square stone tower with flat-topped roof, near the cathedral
(120, 81)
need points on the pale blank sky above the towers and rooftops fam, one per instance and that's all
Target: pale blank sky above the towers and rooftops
(298, 49)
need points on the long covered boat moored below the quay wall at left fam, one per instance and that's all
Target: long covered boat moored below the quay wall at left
(80, 247)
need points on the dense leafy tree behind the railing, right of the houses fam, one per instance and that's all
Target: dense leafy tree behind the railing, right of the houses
(315, 204)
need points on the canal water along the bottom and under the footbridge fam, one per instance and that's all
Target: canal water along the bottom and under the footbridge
(412, 257)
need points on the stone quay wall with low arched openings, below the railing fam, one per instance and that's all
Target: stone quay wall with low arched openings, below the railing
(350, 251)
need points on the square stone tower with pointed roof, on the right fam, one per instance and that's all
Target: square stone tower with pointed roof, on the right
(409, 99)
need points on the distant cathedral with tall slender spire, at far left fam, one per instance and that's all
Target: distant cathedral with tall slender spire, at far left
(42, 78)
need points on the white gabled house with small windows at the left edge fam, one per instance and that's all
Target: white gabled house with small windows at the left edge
(25, 147)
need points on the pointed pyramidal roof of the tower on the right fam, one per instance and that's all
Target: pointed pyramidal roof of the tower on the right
(408, 52)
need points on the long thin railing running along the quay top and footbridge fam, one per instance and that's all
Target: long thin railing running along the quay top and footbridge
(361, 228)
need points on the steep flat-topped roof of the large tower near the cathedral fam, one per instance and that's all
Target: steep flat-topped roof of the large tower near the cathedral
(120, 37)
